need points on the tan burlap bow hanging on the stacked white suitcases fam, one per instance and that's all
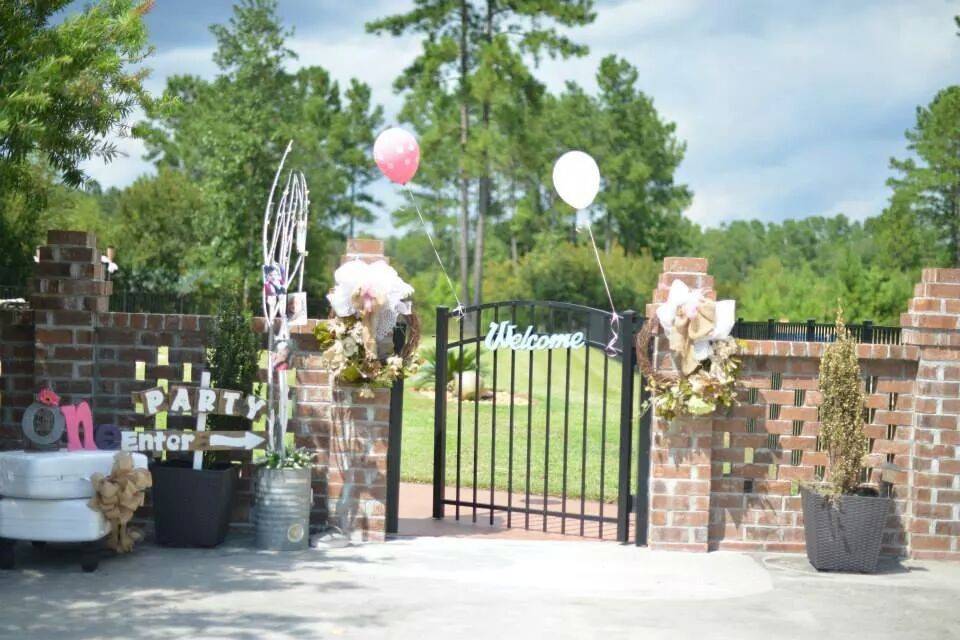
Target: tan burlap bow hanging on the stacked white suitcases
(117, 497)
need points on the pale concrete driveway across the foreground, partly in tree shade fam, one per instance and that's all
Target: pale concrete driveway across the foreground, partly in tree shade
(469, 588)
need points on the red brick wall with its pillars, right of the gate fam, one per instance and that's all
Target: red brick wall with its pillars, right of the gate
(731, 481)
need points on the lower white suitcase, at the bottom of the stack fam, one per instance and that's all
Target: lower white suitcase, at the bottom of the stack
(51, 520)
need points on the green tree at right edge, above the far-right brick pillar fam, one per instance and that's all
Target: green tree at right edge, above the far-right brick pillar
(928, 183)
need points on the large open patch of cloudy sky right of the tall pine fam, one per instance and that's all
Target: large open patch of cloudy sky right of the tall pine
(784, 113)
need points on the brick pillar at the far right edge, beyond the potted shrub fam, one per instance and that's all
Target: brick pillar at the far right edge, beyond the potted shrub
(933, 324)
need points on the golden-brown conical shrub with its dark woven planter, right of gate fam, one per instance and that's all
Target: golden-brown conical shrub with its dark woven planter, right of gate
(843, 520)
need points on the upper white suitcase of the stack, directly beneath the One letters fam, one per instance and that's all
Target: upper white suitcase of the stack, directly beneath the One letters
(55, 475)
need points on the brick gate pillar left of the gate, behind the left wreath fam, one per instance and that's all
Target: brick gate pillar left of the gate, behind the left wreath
(350, 434)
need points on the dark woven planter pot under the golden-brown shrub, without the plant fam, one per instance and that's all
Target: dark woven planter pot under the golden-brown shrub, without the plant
(843, 534)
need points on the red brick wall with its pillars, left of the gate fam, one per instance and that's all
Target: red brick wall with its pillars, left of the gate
(71, 342)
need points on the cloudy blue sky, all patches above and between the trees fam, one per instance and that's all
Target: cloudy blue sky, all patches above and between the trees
(789, 109)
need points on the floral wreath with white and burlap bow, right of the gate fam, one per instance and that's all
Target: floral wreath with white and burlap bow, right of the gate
(698, 330)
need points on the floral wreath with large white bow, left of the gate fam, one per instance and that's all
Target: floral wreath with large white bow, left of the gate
(366, 302)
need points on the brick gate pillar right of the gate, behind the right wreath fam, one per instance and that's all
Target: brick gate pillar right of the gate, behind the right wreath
(680, 453)
